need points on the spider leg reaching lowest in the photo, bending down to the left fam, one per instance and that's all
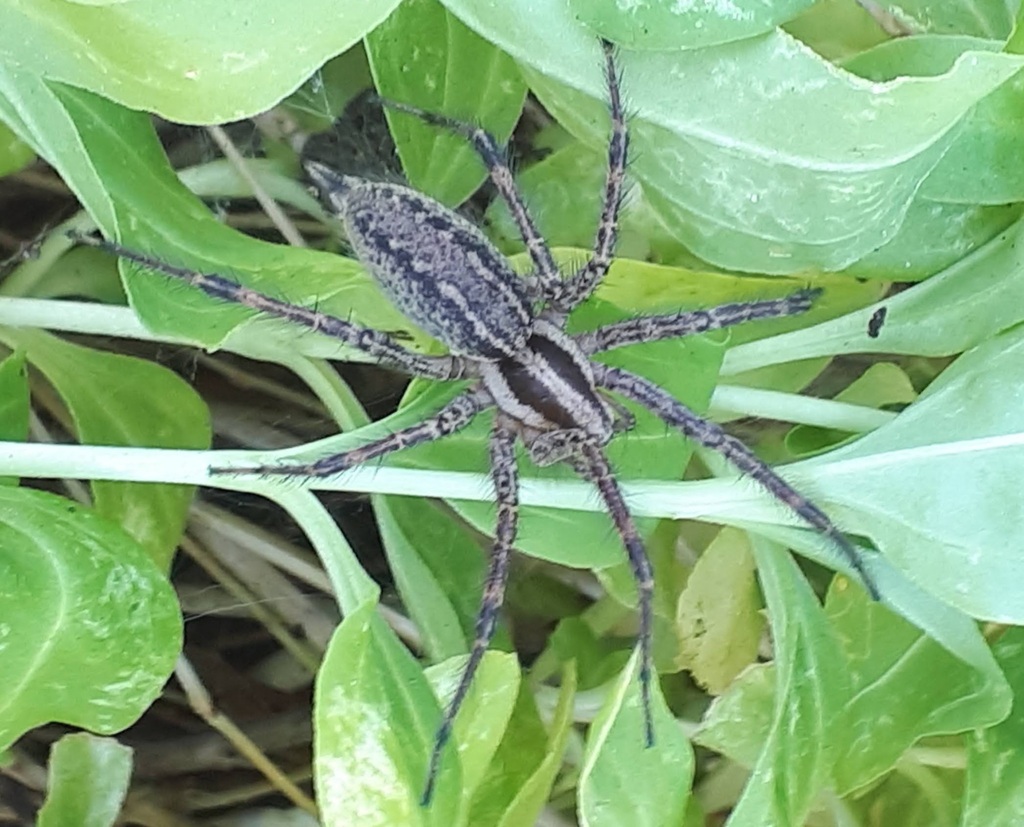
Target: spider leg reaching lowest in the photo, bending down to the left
(506, 481)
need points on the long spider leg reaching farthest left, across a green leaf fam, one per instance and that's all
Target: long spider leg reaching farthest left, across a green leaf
(374, 343)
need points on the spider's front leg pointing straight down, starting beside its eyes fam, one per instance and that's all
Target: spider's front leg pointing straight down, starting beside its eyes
(593, 466)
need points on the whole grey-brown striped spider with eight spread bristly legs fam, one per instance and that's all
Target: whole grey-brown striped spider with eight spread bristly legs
(506, 333)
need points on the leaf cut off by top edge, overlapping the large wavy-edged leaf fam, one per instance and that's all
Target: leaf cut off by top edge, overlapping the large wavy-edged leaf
(661, 26)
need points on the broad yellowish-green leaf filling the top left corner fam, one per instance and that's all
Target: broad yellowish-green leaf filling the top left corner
(190, 61)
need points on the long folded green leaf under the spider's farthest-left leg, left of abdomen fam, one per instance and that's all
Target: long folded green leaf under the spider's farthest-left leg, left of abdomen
(111, 158)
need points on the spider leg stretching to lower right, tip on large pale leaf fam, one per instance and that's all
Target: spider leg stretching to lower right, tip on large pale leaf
(713, 437)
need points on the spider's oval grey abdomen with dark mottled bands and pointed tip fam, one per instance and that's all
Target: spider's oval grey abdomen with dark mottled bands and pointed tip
(437, 268)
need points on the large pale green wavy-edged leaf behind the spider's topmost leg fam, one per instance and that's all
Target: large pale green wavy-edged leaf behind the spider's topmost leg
(775, 176)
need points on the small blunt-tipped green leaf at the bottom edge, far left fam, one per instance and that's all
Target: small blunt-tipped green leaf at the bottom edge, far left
(89, 780)
